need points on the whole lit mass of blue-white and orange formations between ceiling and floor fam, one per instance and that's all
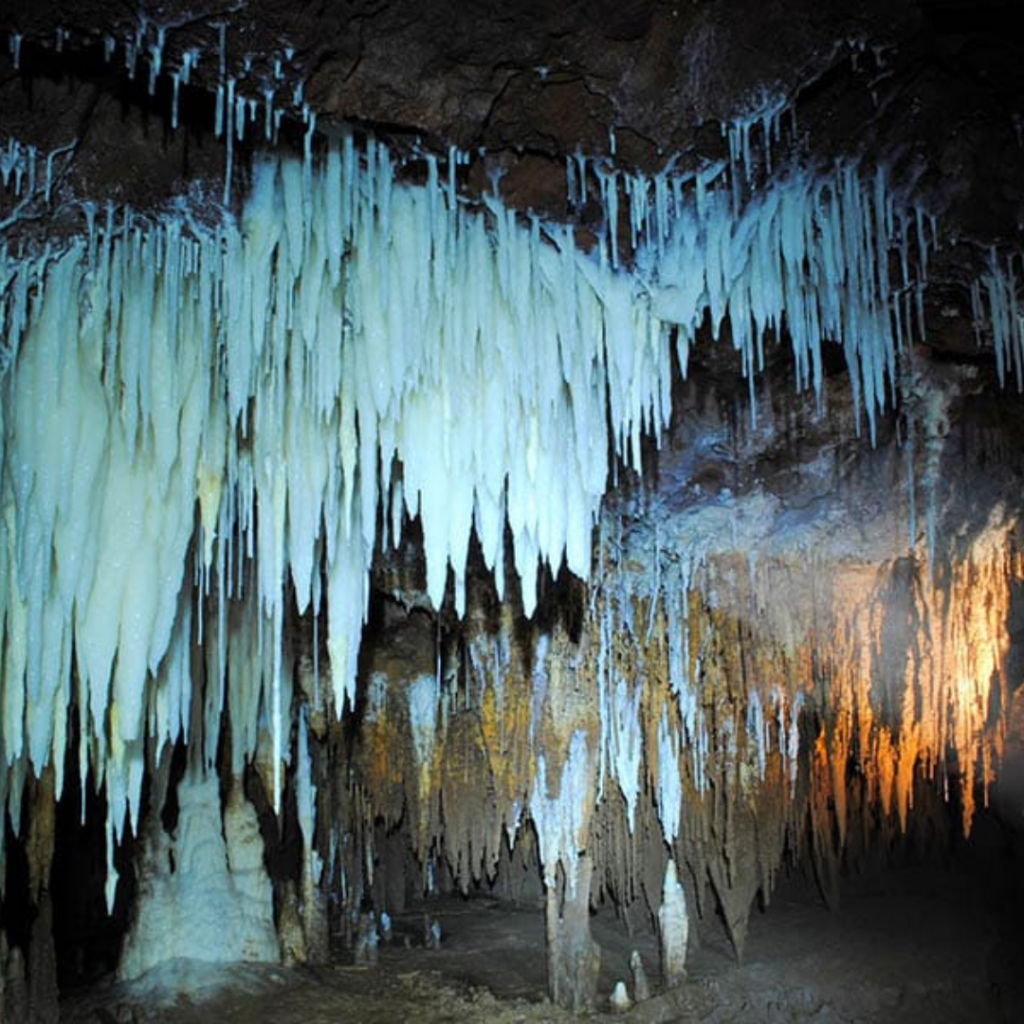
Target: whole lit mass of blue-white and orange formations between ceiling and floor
(644, 617)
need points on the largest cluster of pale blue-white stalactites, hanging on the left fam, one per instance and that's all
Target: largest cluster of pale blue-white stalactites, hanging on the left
(247, 394)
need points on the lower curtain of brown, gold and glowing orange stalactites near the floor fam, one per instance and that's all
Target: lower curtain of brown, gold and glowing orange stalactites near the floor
(700, 715)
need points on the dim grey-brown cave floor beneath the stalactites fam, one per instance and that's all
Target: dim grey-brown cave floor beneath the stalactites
(933, 944)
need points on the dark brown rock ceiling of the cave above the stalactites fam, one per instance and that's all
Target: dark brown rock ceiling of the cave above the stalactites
(931, 90)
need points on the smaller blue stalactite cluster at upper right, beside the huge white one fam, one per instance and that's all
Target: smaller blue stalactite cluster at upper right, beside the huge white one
(806, 250)
